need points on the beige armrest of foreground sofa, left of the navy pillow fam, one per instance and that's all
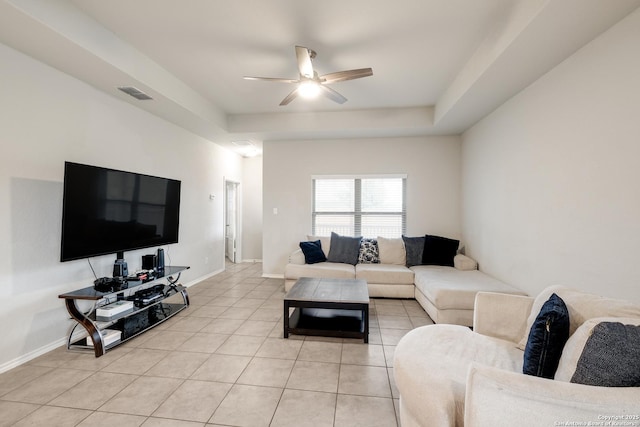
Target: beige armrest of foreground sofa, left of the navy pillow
(501, 316)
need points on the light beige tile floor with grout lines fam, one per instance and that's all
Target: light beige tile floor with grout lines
(220, 362)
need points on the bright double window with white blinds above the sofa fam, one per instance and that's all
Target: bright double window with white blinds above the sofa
(367, 206)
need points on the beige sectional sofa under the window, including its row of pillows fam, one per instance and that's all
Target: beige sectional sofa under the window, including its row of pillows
(446, 292)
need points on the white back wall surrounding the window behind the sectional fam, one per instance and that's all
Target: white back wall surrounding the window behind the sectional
(433, 185)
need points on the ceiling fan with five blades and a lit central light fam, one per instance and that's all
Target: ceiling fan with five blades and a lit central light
(310, 84)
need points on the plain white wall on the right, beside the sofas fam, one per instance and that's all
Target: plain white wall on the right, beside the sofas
(551, 190)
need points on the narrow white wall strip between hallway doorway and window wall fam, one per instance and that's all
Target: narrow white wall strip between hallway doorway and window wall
(251, 189)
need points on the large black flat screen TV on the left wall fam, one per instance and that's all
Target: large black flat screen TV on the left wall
(107, 211)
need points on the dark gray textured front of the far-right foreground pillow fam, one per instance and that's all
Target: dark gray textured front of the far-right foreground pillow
(611, 357)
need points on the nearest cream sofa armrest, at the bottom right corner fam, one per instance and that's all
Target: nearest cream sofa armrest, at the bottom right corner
(496, 397)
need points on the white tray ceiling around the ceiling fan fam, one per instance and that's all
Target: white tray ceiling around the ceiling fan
(438, 65)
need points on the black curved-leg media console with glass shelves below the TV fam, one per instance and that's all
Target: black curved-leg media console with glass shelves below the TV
(130, 323)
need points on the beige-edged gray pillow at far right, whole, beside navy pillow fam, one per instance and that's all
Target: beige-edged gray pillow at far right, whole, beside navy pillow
(614, 351)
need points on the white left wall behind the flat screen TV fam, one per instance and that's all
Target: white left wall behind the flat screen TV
(47, 117)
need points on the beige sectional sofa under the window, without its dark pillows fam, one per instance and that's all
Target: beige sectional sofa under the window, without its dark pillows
(446, 293)
